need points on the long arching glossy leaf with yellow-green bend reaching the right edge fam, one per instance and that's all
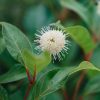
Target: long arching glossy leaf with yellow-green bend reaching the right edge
(66, 72)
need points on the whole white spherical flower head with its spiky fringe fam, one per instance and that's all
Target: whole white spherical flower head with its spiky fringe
(53, 40)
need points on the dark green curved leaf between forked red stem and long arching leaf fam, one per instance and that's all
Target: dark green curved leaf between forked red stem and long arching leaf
(41, 82)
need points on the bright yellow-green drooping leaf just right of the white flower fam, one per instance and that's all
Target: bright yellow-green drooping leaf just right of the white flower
(82, 37)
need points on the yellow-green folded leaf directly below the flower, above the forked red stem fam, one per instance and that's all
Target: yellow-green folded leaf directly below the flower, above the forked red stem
(40, 61)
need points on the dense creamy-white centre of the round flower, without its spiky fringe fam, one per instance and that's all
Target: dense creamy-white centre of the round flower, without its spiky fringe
(52, 41)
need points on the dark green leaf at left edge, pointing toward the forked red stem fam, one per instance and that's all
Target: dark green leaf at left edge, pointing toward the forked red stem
(14, 74)
